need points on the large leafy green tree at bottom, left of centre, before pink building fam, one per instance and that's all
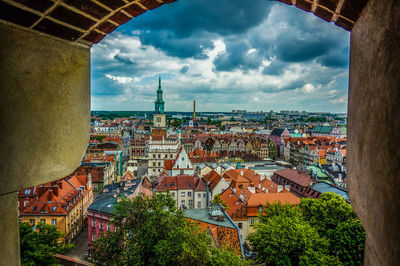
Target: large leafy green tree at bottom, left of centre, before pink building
(152, 231)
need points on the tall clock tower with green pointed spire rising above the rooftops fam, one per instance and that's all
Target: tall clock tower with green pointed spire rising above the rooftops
(159, 117)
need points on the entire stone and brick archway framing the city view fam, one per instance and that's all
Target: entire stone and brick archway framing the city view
(45, 117)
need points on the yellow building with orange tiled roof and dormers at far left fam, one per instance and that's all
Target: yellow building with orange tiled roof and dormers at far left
(62, 203)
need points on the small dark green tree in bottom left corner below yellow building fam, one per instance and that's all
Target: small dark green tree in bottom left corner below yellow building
(39, 245)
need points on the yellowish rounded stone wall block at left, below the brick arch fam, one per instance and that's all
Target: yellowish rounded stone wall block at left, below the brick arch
(44, 108)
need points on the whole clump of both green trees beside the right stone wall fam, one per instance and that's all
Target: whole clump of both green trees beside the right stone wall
(322, 231)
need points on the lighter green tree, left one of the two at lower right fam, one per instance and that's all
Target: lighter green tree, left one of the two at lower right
(284, 240)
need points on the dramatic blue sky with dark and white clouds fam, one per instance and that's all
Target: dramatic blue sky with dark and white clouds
(225, 55)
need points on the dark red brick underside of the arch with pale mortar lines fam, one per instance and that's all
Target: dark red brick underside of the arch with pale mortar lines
(86, 22)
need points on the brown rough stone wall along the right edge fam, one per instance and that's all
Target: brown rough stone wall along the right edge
(374, 128)
